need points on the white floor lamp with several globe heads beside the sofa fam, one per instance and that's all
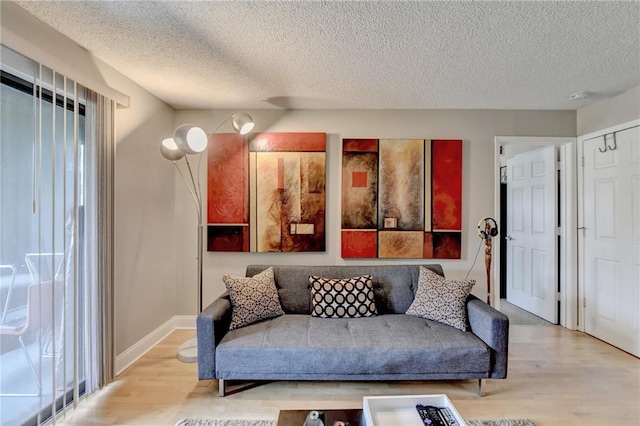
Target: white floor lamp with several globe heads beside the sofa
(189, 139)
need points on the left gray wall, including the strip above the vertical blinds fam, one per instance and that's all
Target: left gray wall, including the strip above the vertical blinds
(145, 270)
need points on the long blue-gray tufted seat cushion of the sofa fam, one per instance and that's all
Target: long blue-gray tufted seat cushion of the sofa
(302, 346)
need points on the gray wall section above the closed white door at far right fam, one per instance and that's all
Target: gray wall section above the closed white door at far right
(609, 112)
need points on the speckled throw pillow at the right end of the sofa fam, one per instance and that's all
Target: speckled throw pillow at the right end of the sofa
(441, 300)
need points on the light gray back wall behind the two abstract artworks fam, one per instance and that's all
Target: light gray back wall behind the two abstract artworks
(477, 129)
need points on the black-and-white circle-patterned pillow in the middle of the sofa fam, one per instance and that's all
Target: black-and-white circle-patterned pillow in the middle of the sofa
(342, 298)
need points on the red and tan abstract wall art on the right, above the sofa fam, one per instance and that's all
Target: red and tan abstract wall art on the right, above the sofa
(401, 198)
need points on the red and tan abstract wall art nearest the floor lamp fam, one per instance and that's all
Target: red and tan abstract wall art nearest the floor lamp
(266, 192)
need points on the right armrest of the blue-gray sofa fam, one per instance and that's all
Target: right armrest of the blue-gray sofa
(492, 326)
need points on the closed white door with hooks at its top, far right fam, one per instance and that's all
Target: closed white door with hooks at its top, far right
(610, 240)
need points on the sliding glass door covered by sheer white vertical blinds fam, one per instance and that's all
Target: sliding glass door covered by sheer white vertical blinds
(56, 235)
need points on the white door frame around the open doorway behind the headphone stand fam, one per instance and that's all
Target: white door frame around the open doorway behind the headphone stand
(568, 297)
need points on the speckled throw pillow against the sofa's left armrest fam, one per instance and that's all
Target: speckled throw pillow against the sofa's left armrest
(253, 298)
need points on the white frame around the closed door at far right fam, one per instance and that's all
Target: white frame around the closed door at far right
(580, 198)
